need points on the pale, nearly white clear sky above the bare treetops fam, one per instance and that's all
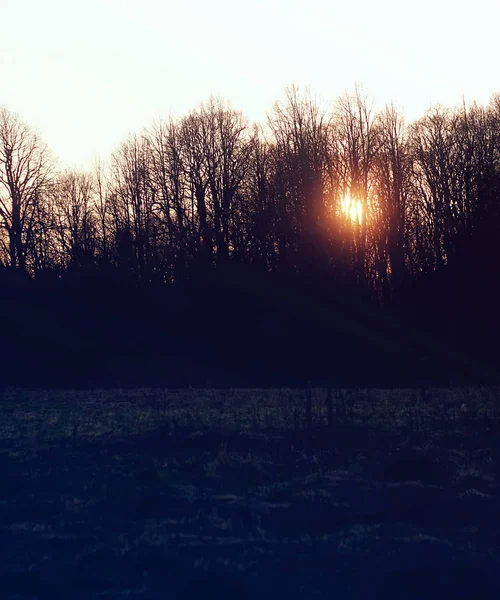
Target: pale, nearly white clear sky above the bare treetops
(85, 74)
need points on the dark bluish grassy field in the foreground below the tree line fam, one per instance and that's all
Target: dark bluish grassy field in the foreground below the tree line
(238, 494)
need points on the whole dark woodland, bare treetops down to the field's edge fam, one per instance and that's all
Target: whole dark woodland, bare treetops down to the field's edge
(342, 248)
